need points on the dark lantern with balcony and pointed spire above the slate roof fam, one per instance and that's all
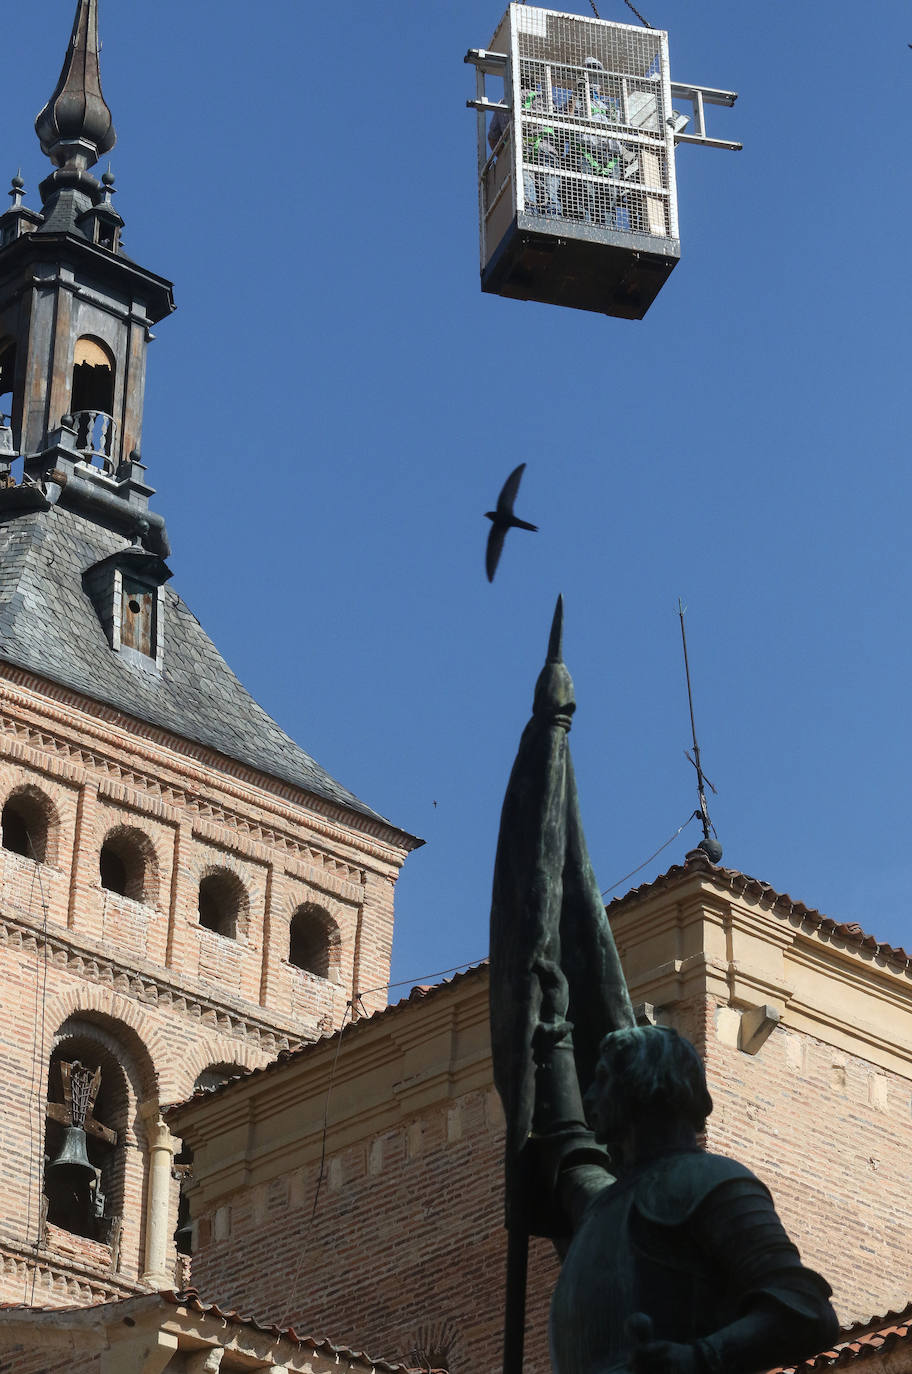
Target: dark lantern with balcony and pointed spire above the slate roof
(76, 314)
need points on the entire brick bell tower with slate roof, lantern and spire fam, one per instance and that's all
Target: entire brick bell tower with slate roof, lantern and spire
(185, 892)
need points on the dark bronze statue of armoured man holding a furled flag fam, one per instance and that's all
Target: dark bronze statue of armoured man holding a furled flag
(674, 1259)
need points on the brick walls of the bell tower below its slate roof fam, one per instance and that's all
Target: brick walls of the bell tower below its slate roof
(142, 980)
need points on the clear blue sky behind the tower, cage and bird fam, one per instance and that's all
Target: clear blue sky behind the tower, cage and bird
(336, 405)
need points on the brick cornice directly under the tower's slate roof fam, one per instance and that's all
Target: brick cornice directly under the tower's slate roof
(185, 791)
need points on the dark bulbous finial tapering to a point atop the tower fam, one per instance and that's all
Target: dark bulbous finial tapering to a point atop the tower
(76, 128)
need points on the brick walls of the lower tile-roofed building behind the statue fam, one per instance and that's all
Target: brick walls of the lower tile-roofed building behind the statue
(407, 1229)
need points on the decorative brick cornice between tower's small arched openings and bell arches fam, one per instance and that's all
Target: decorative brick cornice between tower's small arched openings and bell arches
(145, 984)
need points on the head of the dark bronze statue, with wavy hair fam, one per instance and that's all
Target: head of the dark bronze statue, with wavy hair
(649, 1079)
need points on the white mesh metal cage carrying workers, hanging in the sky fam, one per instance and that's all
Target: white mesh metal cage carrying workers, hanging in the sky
(576, 160)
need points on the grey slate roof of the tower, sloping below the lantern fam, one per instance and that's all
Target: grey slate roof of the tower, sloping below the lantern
(49, 626)
